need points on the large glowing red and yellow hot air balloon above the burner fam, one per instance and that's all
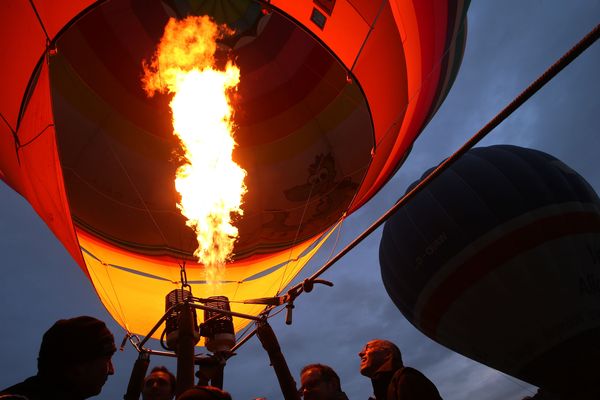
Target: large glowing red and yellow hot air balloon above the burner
(332, 94)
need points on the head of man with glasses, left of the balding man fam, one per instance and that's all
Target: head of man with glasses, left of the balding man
(320, 382)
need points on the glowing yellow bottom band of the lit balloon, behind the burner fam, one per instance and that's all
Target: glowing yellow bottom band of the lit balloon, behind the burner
(133, 289)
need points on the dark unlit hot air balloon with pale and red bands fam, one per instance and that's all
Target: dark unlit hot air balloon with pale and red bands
(497, 259)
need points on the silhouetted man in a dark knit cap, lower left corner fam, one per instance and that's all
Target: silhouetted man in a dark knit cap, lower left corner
(73, 363)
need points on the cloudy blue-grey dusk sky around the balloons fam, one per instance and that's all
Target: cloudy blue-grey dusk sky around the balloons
(509, 44)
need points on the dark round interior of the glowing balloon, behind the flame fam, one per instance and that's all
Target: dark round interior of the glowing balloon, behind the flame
(304, 130)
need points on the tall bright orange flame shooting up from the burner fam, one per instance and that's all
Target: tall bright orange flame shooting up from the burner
(211, 185)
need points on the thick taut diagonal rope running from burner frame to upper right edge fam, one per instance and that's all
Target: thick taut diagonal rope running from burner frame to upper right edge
(550, 73)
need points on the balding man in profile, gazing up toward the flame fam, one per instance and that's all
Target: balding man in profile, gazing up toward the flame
(381, 361)
